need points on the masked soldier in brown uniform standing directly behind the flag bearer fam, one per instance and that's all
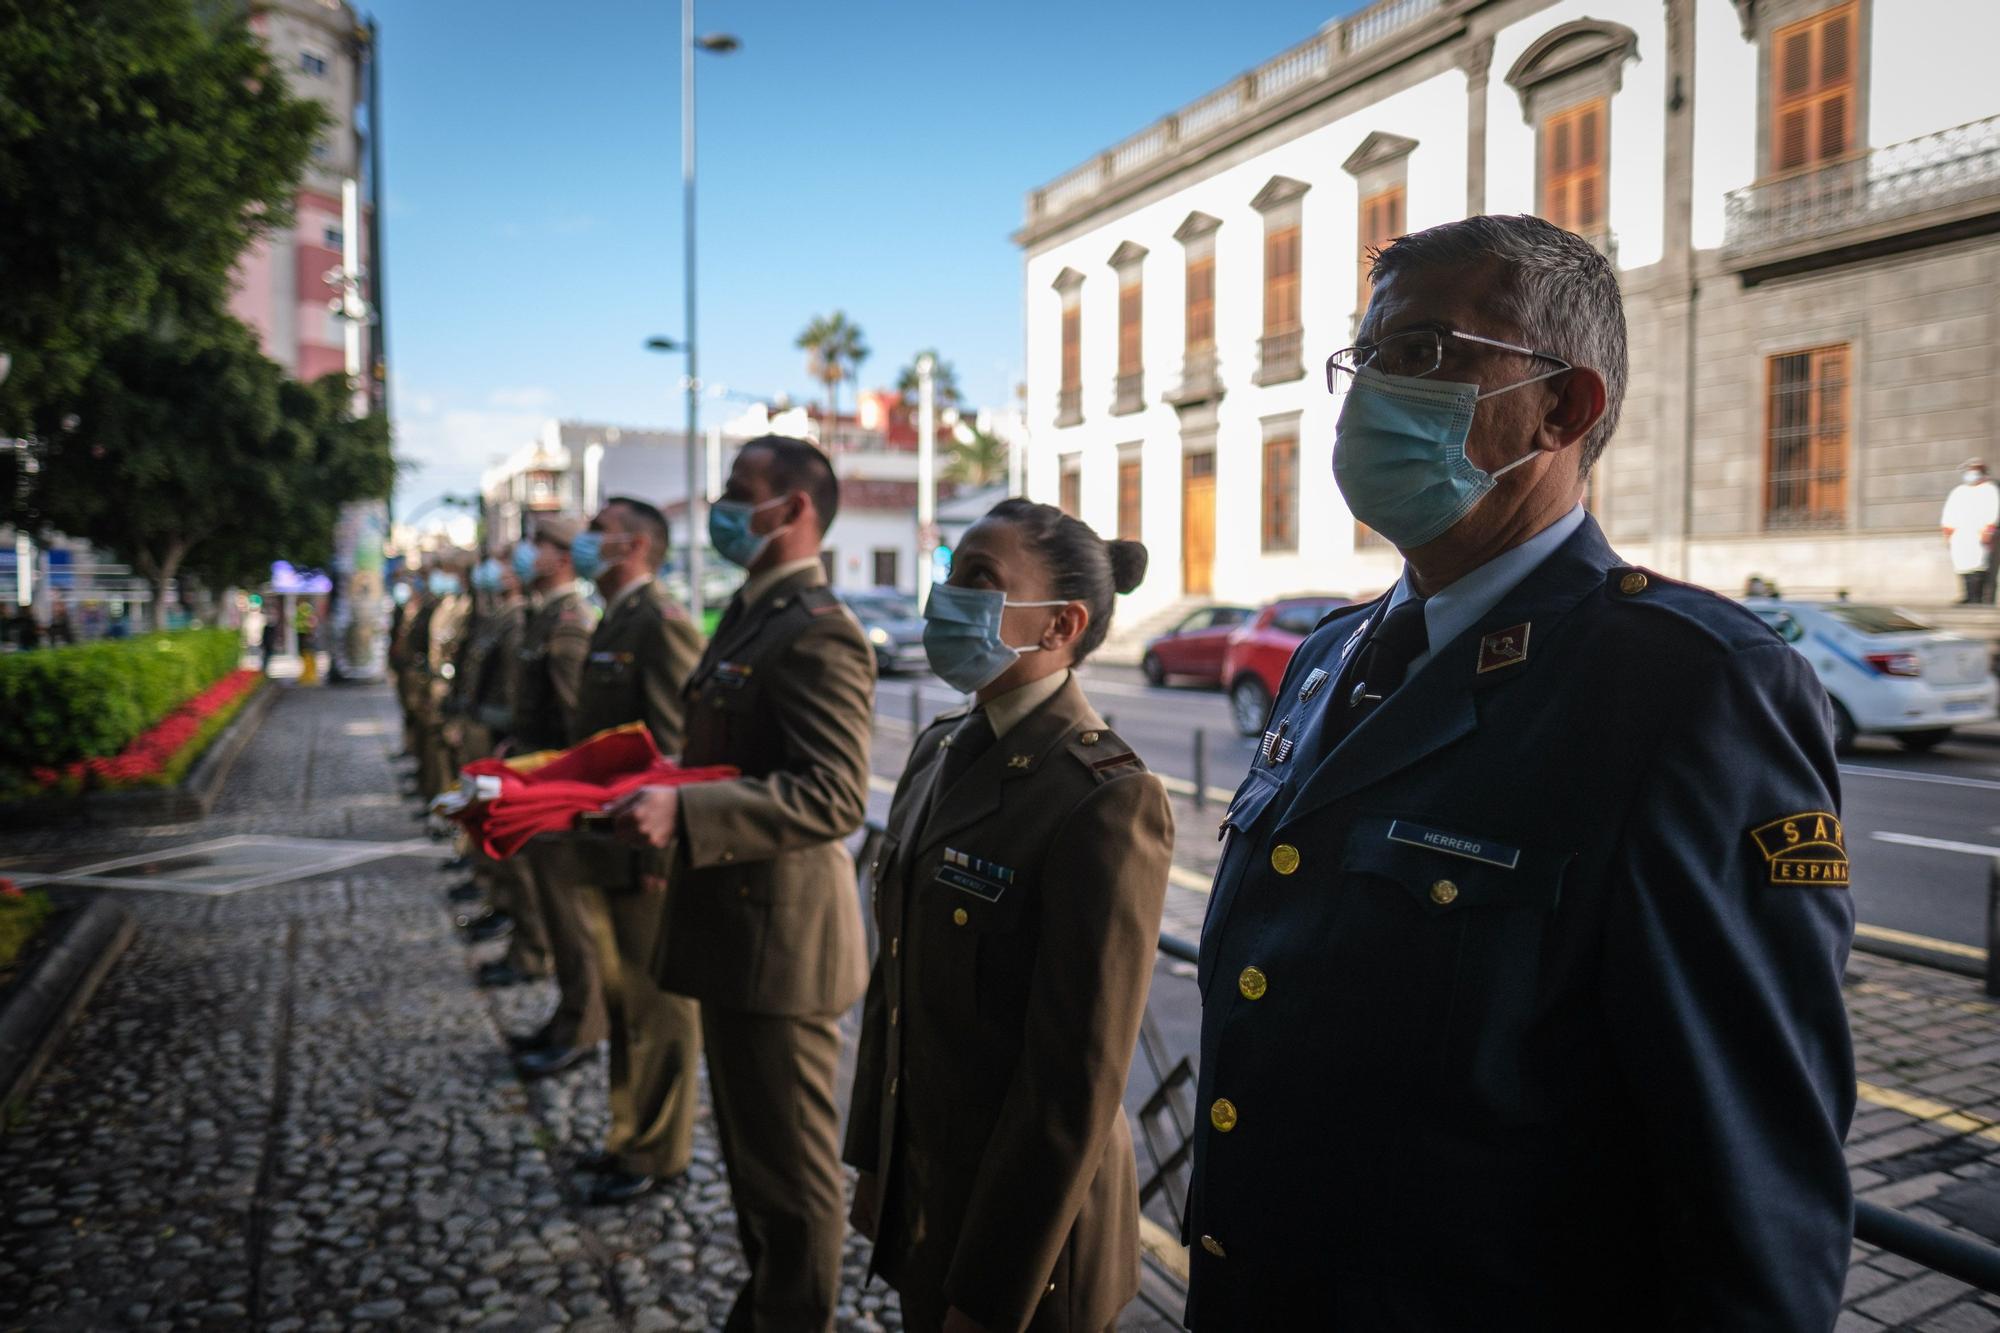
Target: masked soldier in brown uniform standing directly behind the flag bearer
(639, 661)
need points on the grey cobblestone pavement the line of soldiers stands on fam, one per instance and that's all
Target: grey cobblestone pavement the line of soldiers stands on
(291, 1110)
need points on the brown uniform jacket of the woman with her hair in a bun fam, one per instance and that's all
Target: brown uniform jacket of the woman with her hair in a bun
(1019, 916)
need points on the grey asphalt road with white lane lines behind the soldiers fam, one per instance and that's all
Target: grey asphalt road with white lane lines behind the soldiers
(1923, 830)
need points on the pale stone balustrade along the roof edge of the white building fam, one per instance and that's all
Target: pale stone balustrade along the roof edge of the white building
(1317, 59)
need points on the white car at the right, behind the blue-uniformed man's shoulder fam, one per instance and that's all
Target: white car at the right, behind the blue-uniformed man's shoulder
(1887, 672)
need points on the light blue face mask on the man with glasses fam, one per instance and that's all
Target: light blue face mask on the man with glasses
(1401, 455)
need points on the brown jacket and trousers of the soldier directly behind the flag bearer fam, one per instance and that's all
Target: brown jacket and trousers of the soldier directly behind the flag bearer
(639, 659)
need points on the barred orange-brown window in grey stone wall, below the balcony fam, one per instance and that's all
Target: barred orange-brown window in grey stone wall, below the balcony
(1807, 439)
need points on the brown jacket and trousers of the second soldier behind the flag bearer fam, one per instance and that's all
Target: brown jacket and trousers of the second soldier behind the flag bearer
(549, 676)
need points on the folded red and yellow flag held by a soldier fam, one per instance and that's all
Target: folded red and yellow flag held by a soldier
(507, 802)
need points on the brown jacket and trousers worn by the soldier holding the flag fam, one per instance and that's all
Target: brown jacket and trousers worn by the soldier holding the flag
(765, 928)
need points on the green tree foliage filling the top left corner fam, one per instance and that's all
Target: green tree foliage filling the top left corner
(143, 147)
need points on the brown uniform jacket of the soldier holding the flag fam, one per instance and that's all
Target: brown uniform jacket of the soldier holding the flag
(763, 914)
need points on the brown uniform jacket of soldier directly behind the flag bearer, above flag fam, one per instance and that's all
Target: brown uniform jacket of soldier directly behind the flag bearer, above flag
(639, 659)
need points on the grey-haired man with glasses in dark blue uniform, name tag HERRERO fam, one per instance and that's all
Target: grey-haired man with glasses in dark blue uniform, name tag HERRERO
(1521, 980)
